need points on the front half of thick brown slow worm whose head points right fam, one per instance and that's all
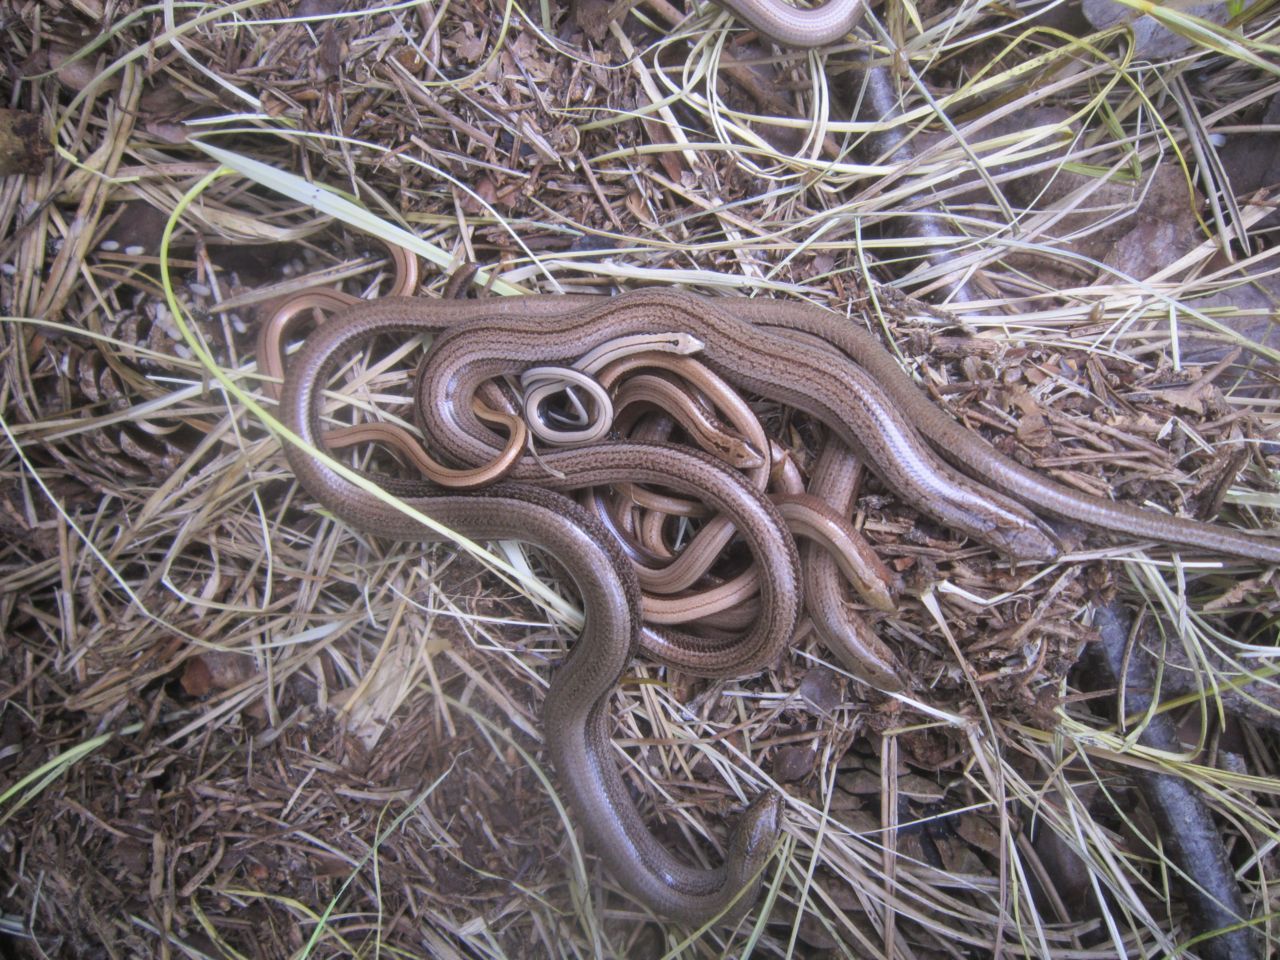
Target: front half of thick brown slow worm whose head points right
(780, 368)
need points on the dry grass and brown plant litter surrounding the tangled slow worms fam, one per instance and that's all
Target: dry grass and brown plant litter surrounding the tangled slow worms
(234, 728)
